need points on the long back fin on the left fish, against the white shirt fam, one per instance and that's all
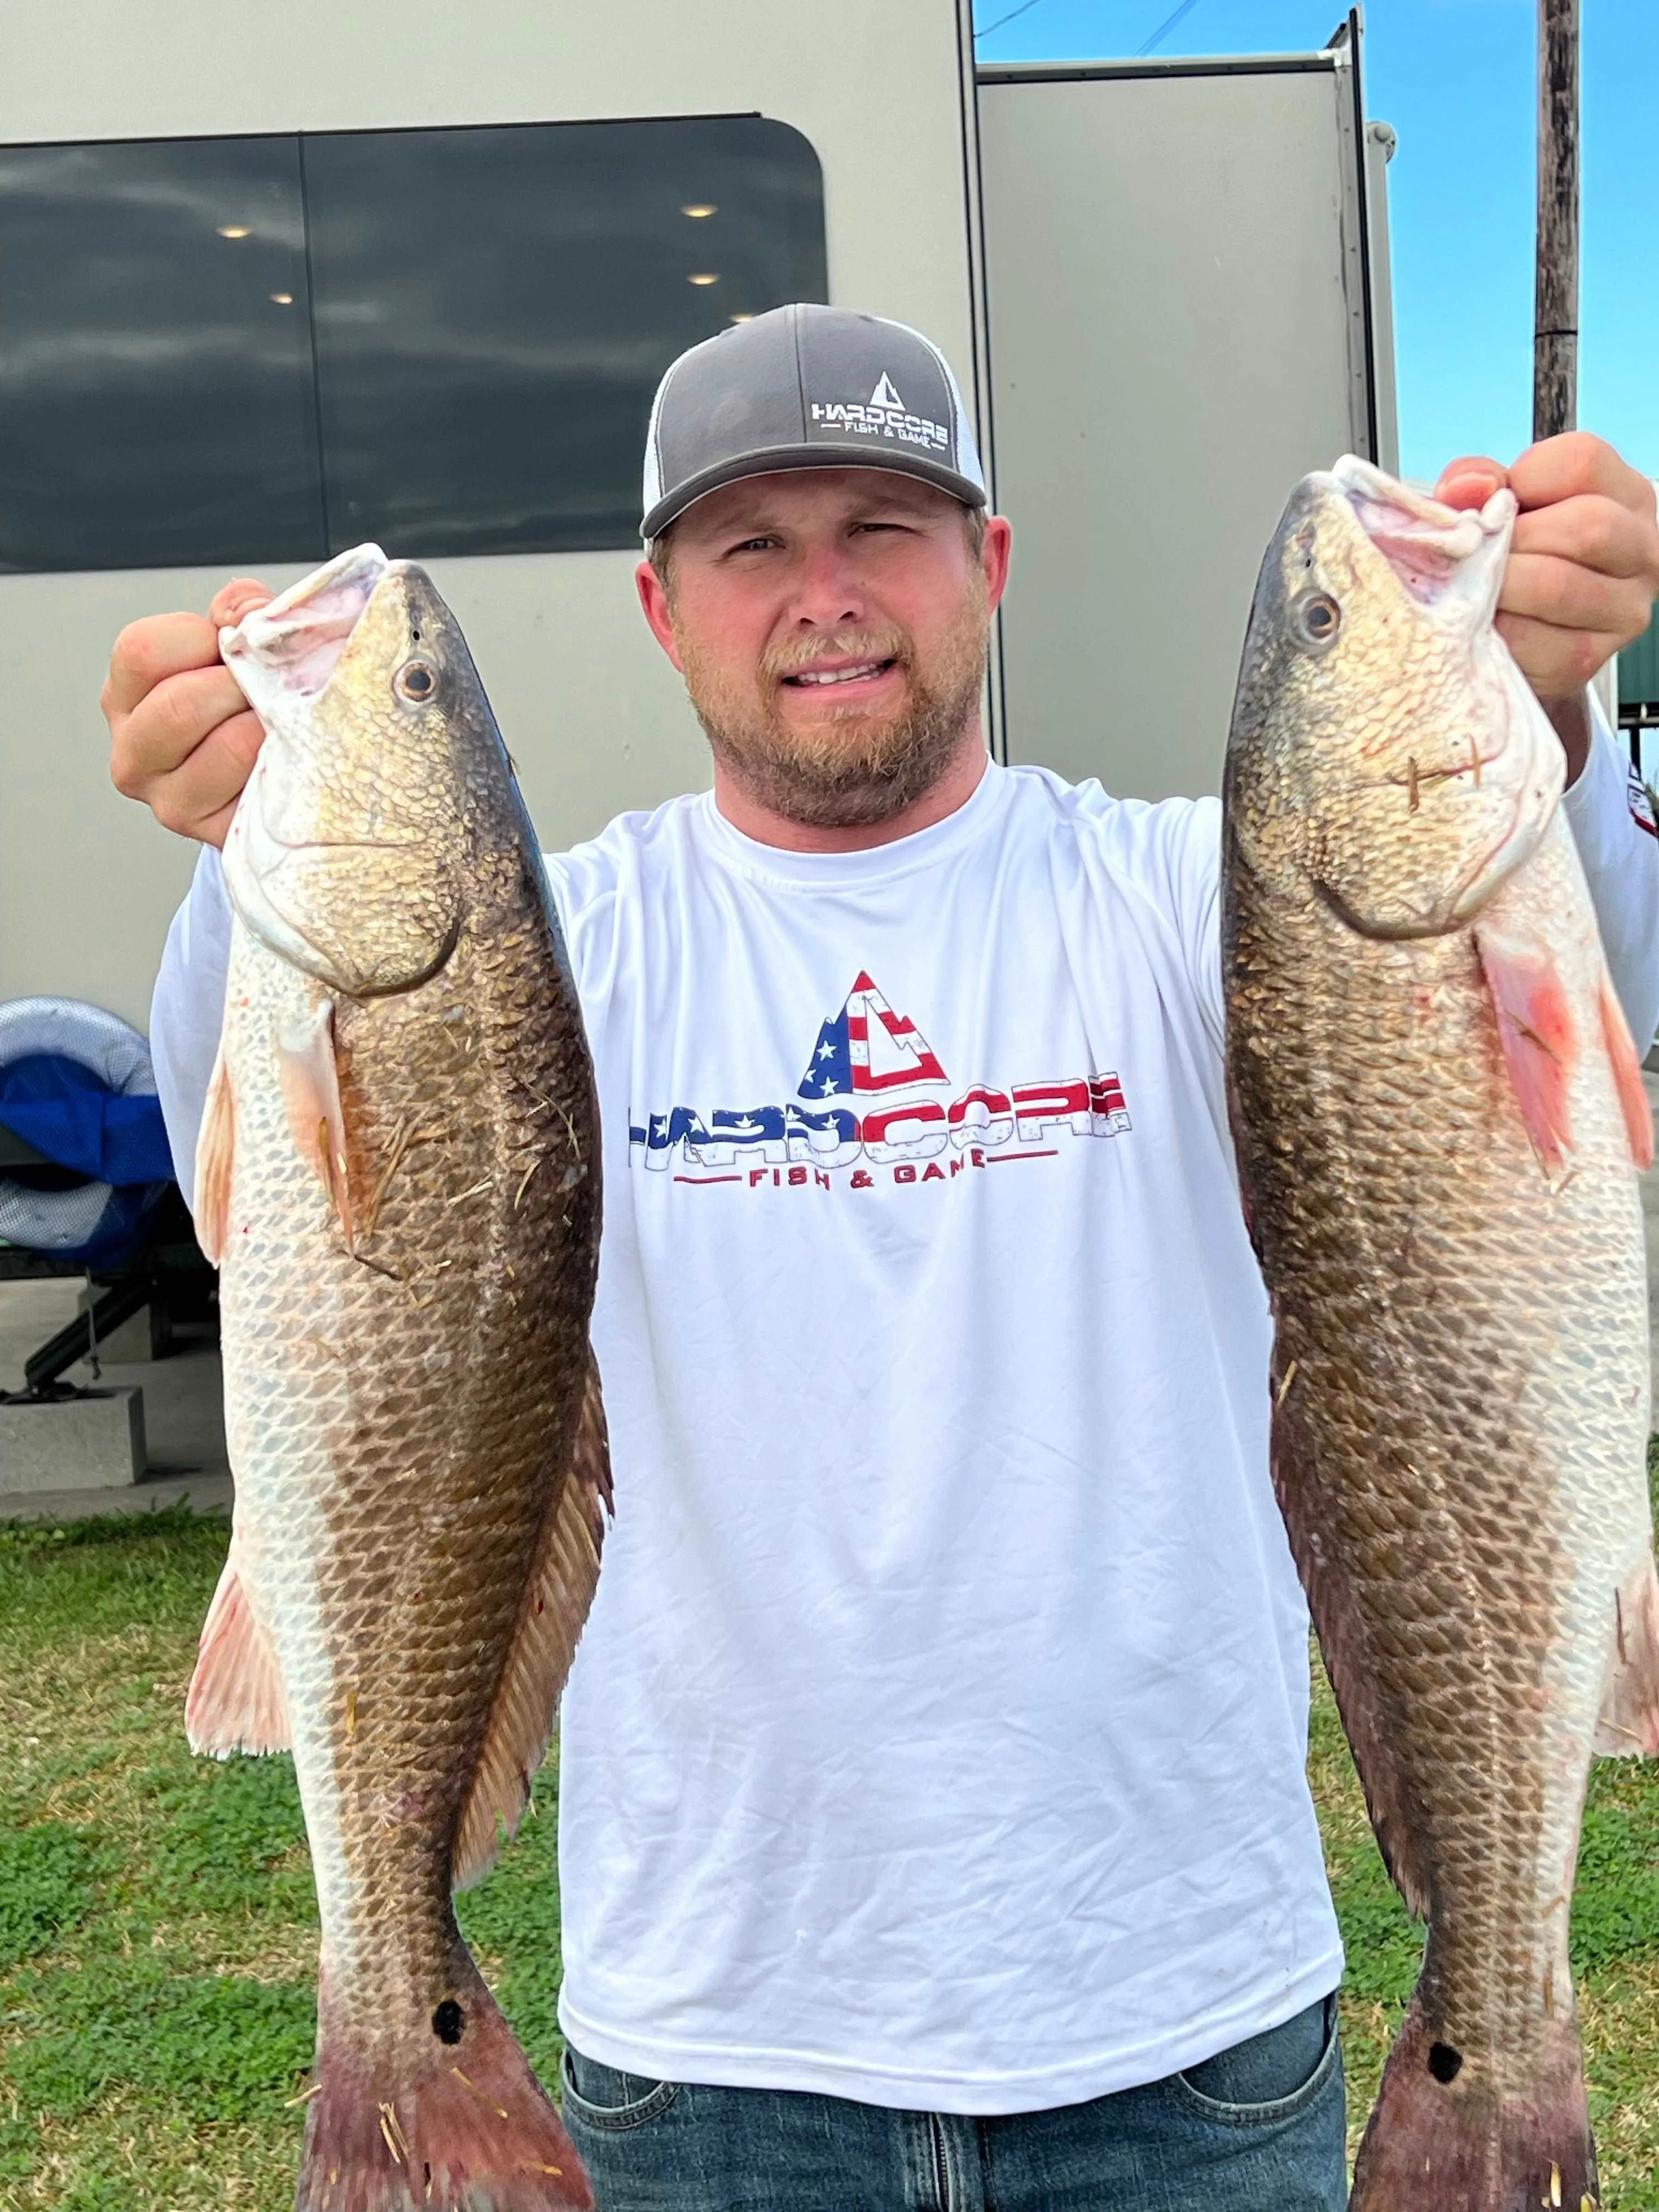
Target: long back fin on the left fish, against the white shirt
(556, 1607)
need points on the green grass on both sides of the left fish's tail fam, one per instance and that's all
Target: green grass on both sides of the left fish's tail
(158, 1930)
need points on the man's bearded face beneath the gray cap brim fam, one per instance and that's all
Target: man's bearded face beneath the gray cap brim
(833, 629)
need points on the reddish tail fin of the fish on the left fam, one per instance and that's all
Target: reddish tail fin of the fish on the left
(439, 2122)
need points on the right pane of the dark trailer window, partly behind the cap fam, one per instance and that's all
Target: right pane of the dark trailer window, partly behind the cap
(494, 311)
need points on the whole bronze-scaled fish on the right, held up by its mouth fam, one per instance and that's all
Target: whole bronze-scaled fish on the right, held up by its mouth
(1459, 1288)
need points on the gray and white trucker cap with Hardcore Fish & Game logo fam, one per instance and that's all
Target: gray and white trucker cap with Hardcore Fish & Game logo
(806, 388)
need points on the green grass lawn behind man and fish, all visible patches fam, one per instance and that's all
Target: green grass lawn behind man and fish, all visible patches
(158, 1928)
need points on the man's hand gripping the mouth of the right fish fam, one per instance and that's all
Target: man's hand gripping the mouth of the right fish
(1583, 565)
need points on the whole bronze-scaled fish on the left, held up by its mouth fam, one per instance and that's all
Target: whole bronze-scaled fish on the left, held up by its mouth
(401, 1158)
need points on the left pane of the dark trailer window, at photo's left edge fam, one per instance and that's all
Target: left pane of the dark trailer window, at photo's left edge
(156, 368)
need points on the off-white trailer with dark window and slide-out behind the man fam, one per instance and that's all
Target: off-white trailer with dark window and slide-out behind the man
(273, 284)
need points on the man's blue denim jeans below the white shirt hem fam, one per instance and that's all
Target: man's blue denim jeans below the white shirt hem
(1258, 2129)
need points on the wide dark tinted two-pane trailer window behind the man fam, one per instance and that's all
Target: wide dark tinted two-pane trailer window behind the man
(262, 351)
